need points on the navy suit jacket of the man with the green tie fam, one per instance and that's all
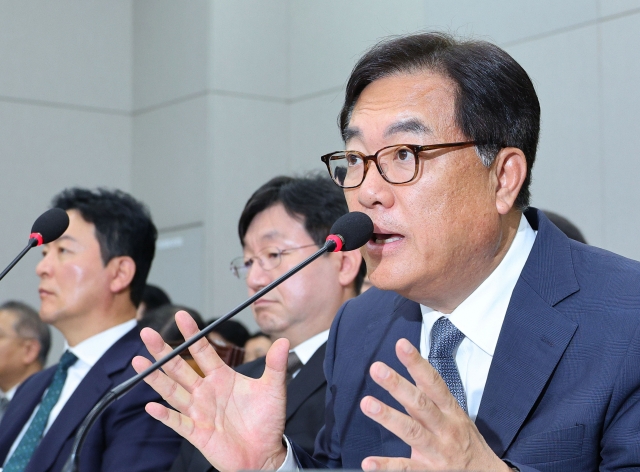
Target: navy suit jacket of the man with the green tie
(123, 439)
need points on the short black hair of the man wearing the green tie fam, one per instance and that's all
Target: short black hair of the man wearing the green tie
(123, 228)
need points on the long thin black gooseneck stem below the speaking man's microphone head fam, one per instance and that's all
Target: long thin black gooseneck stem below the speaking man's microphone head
(73, 463)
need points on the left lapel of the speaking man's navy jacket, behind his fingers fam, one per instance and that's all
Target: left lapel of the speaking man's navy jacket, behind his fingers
(405, 322)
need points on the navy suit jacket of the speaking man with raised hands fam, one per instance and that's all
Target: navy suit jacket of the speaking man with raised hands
(563, 390)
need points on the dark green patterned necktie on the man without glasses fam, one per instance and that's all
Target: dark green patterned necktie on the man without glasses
(33, 435)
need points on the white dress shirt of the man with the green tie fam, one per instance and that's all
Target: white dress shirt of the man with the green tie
(88, 353)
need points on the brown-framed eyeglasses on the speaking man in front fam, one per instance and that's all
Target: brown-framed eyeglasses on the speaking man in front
(397, 164)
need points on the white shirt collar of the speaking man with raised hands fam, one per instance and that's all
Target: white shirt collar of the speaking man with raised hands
(479, 317)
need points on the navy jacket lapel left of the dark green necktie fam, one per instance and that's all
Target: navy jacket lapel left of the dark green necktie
(26, 399)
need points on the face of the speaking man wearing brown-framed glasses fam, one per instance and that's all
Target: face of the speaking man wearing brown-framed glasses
(435, 233)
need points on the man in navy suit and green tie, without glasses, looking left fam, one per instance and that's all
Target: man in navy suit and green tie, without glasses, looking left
(91, 280)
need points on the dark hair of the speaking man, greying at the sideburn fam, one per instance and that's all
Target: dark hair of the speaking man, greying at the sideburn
(496, 103)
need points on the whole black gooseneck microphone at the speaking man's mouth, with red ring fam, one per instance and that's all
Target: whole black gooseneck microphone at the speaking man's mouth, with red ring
(349, 232)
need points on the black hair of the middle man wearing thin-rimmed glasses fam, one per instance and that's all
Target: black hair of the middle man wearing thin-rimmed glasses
(313, 199)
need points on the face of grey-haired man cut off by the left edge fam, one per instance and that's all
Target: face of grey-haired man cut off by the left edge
(13, 351)
